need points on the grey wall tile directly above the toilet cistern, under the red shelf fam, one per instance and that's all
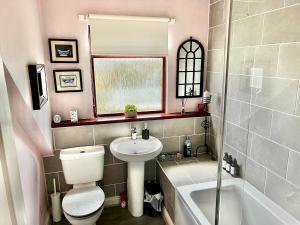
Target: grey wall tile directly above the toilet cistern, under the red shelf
(69, 137)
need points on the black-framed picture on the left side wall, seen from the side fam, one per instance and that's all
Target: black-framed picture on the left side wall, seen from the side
(38, 84)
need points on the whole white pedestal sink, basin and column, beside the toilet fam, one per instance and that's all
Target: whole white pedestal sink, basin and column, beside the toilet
(135, 152)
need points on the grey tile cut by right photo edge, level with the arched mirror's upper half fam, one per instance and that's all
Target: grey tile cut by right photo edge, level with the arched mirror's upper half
(289, 61)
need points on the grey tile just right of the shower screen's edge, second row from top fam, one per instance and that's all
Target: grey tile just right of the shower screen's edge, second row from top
(247, 32)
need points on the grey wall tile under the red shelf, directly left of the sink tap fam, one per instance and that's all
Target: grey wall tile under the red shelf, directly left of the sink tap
(106, 133)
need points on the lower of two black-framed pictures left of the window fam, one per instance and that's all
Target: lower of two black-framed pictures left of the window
(67, 80)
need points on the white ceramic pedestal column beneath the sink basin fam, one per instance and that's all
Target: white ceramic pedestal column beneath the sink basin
(135, 188)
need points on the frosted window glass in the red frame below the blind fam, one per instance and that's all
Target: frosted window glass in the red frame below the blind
(121, 81)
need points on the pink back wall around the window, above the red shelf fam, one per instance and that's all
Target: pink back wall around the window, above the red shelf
(61, 21)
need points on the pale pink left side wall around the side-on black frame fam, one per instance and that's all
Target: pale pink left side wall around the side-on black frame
(21, 43)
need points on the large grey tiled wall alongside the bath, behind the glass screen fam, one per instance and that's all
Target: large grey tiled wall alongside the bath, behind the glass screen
(262, 119)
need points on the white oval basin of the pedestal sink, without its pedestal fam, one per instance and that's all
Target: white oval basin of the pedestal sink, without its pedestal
(138, 150)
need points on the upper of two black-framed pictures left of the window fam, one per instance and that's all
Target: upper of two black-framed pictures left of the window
(63, 50)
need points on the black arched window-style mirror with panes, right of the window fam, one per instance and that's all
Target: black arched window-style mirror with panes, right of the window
(190, 66)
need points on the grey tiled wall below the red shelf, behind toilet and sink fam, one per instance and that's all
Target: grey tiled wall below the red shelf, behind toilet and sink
(171, 132)
